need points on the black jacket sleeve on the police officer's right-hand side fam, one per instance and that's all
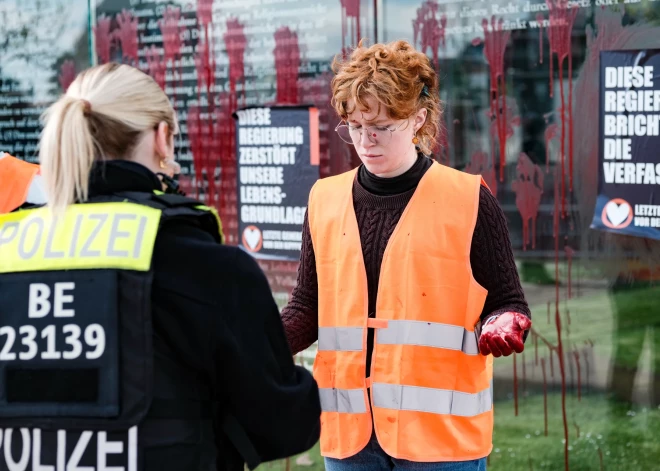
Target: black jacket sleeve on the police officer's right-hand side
(241, 339)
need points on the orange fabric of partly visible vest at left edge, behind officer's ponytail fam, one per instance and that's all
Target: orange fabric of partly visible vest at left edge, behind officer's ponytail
(16, 175)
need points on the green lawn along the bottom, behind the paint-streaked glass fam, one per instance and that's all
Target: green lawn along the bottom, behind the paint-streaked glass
(627, 440)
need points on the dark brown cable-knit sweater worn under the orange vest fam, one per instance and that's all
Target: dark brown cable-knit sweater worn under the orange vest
(379, 203)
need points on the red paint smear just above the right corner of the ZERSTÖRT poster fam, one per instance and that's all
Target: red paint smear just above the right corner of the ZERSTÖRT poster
(287, 64)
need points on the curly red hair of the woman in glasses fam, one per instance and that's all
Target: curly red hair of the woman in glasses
(398, 76)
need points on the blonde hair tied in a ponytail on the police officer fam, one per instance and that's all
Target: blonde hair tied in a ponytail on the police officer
(103, 115)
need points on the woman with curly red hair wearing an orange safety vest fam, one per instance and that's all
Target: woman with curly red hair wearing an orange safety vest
(407, 280)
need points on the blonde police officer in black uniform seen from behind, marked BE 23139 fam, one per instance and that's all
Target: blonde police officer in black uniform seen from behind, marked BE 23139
(131, 339)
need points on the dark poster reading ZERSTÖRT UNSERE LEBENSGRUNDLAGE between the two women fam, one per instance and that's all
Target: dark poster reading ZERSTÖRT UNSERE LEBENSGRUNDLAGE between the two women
(277, 154)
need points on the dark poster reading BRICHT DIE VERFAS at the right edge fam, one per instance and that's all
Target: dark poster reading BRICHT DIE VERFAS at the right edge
(628, 200)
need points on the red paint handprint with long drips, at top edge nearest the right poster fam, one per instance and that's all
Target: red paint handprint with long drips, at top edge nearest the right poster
(560, 30)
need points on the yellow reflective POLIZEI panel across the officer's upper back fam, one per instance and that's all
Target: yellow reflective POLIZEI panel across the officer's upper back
(94, 235)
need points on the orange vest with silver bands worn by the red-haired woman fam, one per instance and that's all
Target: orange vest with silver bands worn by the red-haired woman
(431, 389)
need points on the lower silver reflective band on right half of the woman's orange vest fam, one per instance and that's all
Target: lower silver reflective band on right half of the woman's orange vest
(435, 401)
